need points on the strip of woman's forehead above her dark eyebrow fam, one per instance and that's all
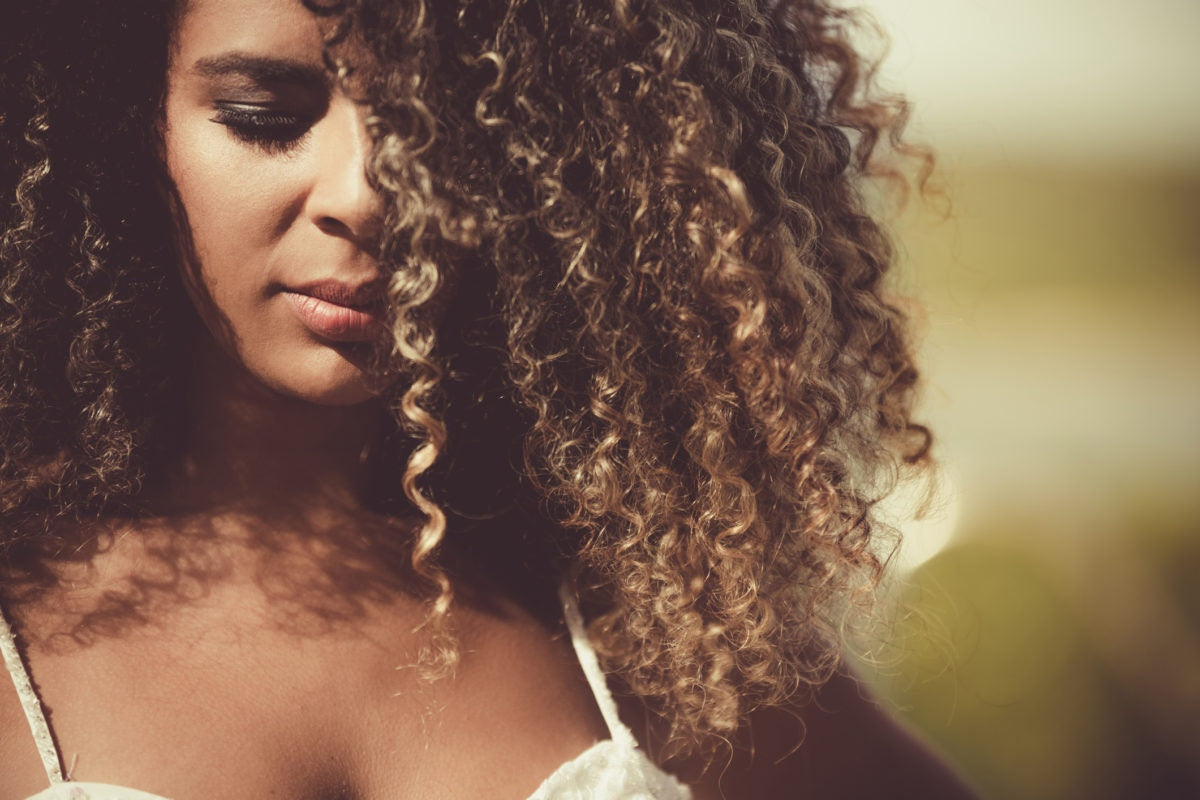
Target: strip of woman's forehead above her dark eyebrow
(277, 28)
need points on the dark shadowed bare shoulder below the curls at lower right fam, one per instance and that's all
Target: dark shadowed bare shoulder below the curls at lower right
(843, 747)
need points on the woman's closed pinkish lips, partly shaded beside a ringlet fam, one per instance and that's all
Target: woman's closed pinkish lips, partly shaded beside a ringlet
(337, 311)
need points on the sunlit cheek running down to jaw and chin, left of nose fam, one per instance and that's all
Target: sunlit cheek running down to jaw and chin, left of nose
(243, 210)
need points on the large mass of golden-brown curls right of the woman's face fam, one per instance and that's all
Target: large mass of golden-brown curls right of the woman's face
(691, 293)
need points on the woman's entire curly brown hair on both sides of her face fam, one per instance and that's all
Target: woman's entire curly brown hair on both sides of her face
(631, 232)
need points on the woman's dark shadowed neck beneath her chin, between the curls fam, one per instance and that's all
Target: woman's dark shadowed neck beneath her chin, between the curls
(249, 447)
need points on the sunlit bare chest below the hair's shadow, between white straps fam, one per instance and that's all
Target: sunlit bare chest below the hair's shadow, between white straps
(225, 705)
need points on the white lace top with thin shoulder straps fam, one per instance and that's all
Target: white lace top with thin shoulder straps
(614, 769)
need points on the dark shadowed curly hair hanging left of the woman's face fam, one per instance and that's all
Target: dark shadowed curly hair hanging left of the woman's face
(88, 291)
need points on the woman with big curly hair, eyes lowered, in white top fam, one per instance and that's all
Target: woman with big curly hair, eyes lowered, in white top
(347, 350)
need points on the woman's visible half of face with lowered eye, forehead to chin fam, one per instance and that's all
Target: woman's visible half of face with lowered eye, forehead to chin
(268, 157)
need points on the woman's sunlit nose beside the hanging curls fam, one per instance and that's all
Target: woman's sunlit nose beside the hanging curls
(343, 202)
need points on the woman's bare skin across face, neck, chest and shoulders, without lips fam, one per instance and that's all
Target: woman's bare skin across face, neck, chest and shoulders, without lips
(268, 646)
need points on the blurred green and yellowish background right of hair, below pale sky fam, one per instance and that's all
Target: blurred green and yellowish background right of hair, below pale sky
(1053, 651)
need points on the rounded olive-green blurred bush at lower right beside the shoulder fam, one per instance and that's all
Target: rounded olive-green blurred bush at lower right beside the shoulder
(997, 669)
